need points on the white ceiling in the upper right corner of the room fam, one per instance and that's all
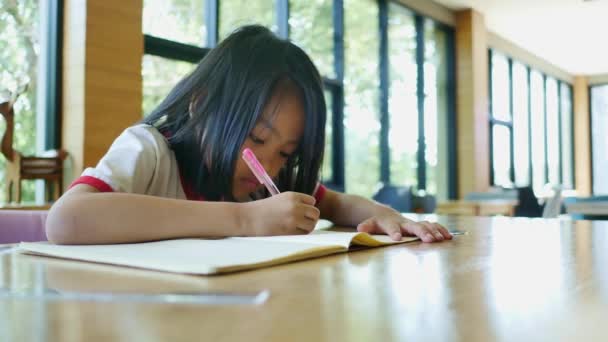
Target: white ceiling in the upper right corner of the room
(570, 34)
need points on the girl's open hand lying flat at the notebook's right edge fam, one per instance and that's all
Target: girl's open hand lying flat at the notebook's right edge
(392, 223)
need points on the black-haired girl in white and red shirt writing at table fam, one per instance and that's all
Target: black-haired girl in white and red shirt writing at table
(179, 172)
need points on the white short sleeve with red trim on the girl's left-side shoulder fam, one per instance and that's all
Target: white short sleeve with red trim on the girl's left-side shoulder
(130, 163)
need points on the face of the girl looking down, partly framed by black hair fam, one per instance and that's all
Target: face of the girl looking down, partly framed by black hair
(274, 138)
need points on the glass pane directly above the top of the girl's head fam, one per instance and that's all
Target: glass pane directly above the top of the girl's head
(236, 13)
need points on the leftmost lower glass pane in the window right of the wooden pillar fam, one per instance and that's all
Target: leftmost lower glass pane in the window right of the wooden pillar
(501, 150)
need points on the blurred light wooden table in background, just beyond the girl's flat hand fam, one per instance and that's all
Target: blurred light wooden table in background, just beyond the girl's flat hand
(477, 208)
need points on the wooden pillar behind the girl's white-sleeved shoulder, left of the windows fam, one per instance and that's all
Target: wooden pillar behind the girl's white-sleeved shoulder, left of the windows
(102, 94)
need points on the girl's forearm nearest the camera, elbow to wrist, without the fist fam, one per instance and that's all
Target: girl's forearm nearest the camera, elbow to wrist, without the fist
(84, 216)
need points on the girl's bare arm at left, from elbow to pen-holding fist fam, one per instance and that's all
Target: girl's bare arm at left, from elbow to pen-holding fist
(83, 215)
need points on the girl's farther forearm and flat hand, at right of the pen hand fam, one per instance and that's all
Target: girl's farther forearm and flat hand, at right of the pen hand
(373, 217)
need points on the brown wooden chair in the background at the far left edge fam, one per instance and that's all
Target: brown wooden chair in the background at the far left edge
(48, 166)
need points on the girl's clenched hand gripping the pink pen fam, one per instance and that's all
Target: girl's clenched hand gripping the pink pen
(288, 213)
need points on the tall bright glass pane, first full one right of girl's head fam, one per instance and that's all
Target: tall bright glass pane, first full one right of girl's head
(361, 97)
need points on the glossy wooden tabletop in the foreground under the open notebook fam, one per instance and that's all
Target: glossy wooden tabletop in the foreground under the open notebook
(508, 279)
